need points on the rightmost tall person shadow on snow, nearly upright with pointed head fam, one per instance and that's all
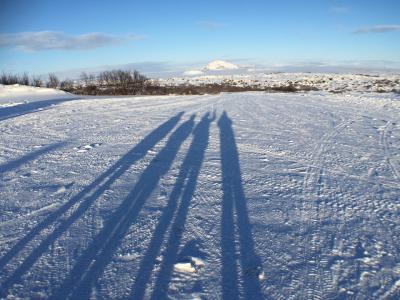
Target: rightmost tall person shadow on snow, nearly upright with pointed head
(234, 200)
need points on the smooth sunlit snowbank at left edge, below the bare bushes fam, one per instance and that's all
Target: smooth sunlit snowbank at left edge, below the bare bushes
(17, 92)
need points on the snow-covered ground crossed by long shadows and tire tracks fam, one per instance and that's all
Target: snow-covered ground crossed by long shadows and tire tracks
(246, 195)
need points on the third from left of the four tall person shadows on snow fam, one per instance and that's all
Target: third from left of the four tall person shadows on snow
(183, 189)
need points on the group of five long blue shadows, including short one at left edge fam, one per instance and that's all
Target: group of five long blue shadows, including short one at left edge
(237, 245)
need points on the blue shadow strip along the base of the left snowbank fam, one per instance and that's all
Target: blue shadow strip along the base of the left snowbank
(30, 107)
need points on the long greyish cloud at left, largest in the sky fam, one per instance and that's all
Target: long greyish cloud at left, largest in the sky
(52, 40)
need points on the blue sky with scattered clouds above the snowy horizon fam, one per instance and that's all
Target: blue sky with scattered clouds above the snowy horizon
(43, 36)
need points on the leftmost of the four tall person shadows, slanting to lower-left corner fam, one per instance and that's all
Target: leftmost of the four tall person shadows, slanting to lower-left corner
(97, 187)
